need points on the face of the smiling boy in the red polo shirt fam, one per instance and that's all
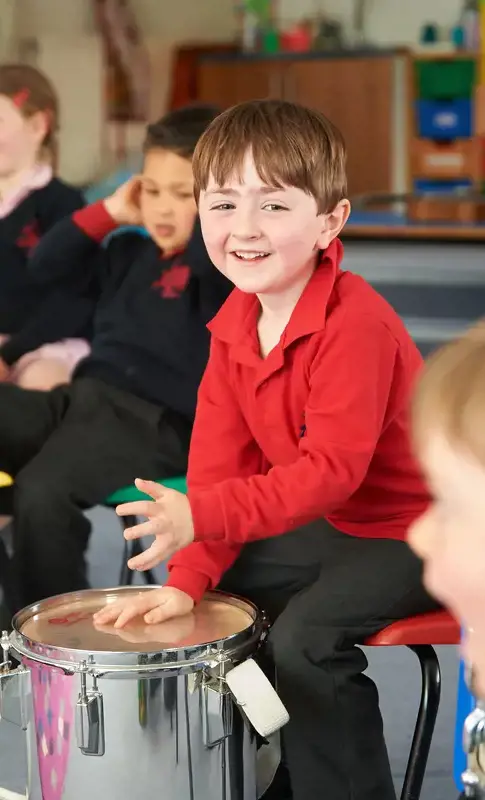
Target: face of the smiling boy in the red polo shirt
(264, 239)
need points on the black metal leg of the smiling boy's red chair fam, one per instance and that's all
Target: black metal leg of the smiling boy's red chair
(425, 722)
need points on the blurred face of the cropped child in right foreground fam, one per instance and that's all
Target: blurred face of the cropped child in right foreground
(450, 538)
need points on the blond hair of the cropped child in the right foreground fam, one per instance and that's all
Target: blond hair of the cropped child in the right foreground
(450, 396)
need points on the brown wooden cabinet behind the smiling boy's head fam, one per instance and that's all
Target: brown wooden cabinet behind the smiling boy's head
(364, 96)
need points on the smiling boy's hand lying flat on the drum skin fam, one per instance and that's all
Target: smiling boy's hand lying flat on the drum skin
(154, 606)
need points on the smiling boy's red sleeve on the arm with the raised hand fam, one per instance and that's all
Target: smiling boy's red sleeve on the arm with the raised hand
(350, 384)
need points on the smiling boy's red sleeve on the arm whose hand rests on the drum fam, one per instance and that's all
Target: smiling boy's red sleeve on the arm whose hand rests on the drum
(222, 447)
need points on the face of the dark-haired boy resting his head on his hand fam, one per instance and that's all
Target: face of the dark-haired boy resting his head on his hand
(167, 202)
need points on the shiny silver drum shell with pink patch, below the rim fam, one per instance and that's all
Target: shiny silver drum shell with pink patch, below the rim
(173, 733)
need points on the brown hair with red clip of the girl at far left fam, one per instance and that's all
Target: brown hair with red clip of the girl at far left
(32, 91)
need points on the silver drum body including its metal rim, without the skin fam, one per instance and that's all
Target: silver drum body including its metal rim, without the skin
(165, 727)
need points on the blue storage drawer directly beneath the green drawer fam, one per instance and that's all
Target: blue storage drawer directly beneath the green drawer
(444, 119)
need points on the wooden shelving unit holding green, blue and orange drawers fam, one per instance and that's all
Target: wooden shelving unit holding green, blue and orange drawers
(446, 153)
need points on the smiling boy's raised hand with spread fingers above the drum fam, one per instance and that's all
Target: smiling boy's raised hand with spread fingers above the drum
(169, 521)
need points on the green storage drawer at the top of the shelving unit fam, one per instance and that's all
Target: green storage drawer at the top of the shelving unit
(445, 79)
